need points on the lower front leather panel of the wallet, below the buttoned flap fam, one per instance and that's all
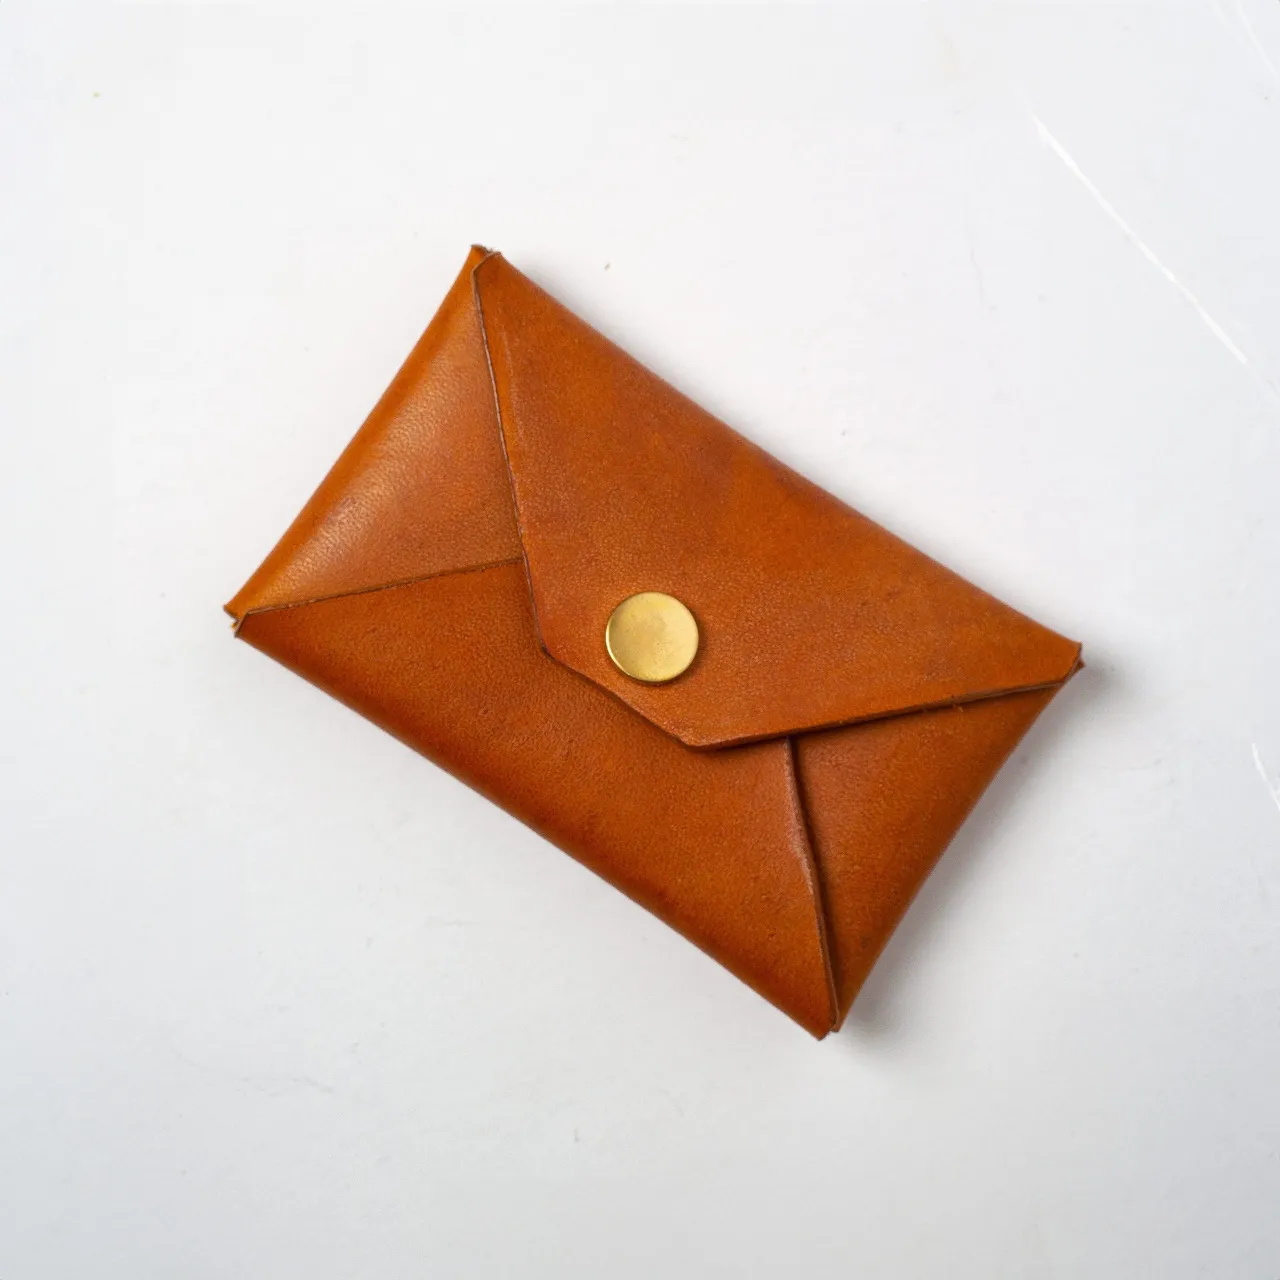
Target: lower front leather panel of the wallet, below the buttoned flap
(714, 843)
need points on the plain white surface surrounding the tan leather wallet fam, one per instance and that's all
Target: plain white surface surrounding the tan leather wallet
(280, 999)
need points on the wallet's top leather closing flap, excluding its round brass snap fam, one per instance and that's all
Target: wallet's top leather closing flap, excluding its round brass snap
(810, 614)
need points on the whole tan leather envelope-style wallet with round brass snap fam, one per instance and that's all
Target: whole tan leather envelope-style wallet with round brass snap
(748, 707)
